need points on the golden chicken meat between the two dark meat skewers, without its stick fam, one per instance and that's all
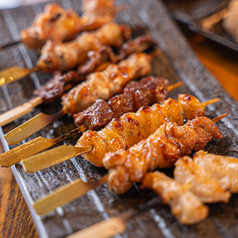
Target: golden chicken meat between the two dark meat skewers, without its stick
(107, 83)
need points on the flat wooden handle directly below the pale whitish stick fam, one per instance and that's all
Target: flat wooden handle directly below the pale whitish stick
(30, 127)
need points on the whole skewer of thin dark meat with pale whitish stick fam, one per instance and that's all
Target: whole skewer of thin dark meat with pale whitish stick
(55, 87)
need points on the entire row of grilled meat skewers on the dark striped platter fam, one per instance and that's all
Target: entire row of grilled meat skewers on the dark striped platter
(111, 107)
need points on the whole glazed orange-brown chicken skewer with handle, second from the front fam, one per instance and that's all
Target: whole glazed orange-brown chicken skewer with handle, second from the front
(162, 149)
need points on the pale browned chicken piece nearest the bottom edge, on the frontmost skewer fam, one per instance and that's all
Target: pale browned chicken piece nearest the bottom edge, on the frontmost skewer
(185, 206)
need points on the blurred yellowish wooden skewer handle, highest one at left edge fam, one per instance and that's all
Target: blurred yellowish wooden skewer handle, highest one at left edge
(15, 73)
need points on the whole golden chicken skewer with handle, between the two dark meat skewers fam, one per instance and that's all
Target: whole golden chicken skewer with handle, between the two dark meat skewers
(102, 85)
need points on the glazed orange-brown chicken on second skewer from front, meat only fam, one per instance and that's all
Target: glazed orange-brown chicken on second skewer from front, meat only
(160, 150)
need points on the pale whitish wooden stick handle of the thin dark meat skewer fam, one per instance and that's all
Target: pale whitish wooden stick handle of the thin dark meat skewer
(19, 111)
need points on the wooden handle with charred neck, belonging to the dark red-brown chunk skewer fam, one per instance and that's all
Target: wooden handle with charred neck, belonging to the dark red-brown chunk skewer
(35, 146)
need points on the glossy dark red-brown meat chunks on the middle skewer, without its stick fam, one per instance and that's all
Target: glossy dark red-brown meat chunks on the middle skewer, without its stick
(135, 95)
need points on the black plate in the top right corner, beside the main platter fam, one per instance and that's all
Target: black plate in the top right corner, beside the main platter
(193, 13)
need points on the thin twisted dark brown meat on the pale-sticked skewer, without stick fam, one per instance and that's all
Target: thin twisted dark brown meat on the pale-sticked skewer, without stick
(97, 61)
